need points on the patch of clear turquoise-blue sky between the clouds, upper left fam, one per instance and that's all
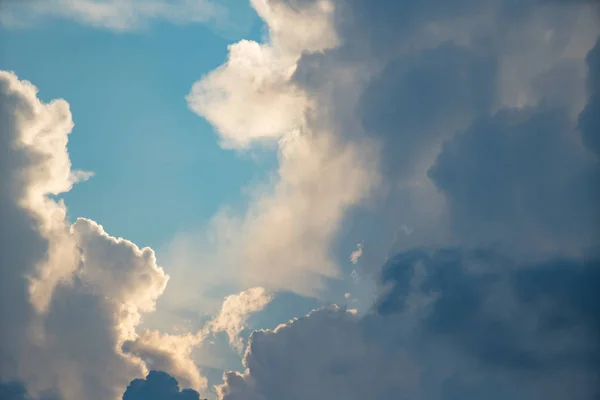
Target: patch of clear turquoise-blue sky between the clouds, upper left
(158, 166)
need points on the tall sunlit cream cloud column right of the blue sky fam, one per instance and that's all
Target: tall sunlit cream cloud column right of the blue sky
(282, 241)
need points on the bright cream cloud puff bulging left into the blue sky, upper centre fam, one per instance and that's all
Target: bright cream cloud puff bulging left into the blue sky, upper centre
(250, 97)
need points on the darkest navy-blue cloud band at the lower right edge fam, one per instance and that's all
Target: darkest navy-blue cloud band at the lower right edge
(519, 318)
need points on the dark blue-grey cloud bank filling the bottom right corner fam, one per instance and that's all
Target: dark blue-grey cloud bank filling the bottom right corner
(490, 329)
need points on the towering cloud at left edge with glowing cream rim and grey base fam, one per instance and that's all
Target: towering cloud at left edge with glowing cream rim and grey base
(71, 294)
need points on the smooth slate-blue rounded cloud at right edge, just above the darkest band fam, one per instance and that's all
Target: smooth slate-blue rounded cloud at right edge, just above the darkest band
(520, 173)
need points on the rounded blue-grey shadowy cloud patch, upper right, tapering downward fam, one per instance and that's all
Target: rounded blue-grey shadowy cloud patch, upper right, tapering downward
(419, 97)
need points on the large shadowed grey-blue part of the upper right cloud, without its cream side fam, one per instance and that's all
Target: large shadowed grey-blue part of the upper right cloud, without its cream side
(436, 70)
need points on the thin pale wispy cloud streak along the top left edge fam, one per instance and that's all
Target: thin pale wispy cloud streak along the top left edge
(115, 15)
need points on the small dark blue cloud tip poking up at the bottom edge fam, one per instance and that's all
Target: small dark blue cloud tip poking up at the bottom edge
(158, 386)
